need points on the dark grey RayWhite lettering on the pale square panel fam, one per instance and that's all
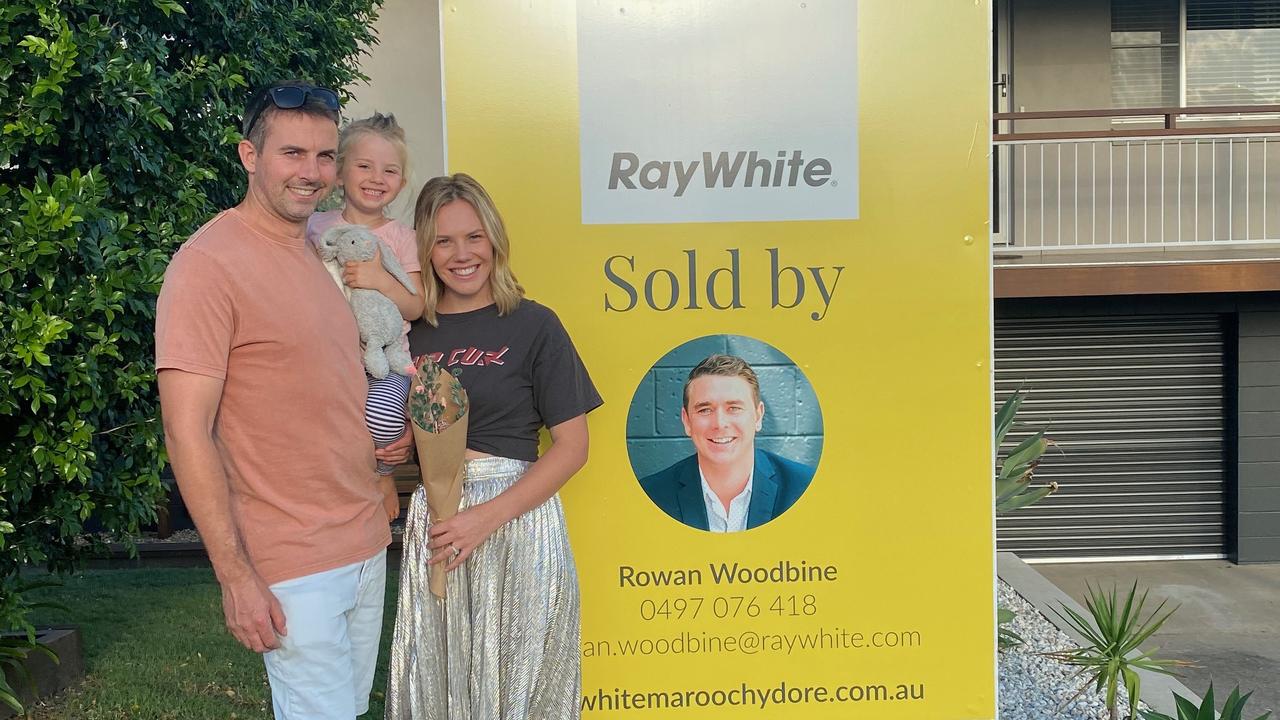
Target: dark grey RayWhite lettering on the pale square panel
(720, 170)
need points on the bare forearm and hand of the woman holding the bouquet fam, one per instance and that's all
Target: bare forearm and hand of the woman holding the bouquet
(472, 527)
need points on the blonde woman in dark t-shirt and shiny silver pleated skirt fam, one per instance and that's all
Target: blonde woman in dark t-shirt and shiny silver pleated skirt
(505, 641)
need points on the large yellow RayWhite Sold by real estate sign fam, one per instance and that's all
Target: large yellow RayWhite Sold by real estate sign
(804, 186)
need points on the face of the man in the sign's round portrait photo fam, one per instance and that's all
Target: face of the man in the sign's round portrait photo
(723, 418)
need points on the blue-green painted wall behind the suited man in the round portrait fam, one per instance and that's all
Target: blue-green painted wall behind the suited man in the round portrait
(793, 421)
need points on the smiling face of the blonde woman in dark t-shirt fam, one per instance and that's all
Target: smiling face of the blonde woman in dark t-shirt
(463, 258)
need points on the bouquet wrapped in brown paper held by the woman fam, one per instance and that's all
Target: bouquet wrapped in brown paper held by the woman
(438, 412)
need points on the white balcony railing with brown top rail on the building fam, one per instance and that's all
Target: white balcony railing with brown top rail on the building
(1137, 179)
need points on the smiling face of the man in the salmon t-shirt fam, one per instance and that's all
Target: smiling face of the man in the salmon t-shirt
(296, 166)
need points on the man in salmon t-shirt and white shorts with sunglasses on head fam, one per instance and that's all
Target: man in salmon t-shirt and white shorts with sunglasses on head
(263, 394)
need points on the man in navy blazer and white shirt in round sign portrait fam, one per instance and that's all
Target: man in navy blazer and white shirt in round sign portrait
(729, 485)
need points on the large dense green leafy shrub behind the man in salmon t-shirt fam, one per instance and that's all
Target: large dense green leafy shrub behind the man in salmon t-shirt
(118, 121)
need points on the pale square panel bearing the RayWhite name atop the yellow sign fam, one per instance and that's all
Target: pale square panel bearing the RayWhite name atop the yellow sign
(717, 111)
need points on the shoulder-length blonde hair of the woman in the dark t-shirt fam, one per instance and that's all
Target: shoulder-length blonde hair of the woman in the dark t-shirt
(440, 193)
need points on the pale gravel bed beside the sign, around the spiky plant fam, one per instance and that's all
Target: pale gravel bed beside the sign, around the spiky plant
(1034, 687)
